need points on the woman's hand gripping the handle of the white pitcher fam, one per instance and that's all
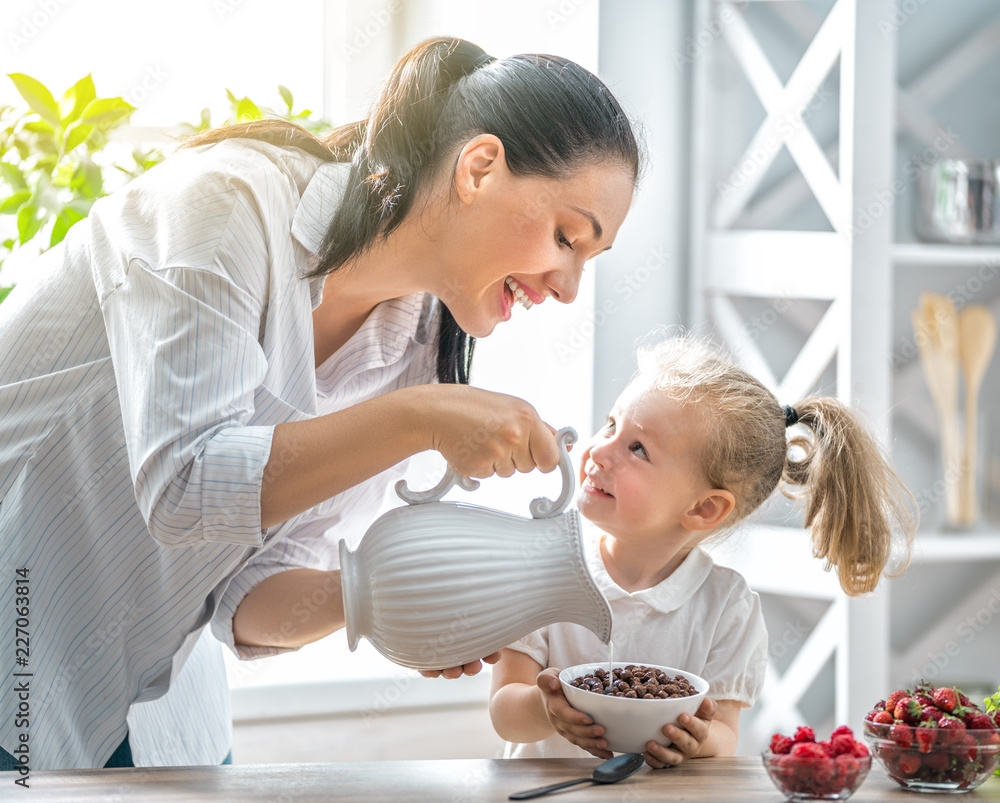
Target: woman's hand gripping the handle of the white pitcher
(481, 433)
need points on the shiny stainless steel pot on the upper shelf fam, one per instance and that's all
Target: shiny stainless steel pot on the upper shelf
(960, 201)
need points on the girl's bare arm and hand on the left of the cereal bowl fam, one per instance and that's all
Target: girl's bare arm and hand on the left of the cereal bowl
(528, 705)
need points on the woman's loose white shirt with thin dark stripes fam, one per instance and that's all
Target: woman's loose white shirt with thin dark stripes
(141, 376)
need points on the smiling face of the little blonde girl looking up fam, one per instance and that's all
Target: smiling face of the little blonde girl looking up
(642, 472)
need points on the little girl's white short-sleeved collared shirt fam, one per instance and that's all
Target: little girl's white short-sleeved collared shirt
(703, 618)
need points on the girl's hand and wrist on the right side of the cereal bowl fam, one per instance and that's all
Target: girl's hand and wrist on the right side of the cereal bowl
(712, 731)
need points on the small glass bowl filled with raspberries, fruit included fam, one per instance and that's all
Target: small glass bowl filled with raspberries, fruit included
(804, 769)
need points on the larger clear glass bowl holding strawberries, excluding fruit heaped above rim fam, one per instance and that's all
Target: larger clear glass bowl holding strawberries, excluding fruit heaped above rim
(952, 761)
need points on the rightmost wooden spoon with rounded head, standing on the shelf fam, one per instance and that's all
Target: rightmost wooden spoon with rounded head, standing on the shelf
(977, 339)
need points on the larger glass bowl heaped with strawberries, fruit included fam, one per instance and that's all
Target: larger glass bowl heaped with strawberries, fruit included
(934, 739)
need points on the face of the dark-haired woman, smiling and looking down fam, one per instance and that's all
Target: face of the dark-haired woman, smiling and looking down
(526, 239)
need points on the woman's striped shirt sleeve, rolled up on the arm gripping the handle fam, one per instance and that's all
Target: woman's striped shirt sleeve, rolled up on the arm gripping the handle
(187, 363)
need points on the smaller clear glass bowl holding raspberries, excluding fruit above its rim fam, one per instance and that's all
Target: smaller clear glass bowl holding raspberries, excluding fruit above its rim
(808, 778)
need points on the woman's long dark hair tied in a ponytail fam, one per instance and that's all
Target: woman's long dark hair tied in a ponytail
(551, 115)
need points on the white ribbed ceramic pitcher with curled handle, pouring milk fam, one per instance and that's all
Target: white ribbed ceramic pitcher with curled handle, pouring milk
(438, 584)
